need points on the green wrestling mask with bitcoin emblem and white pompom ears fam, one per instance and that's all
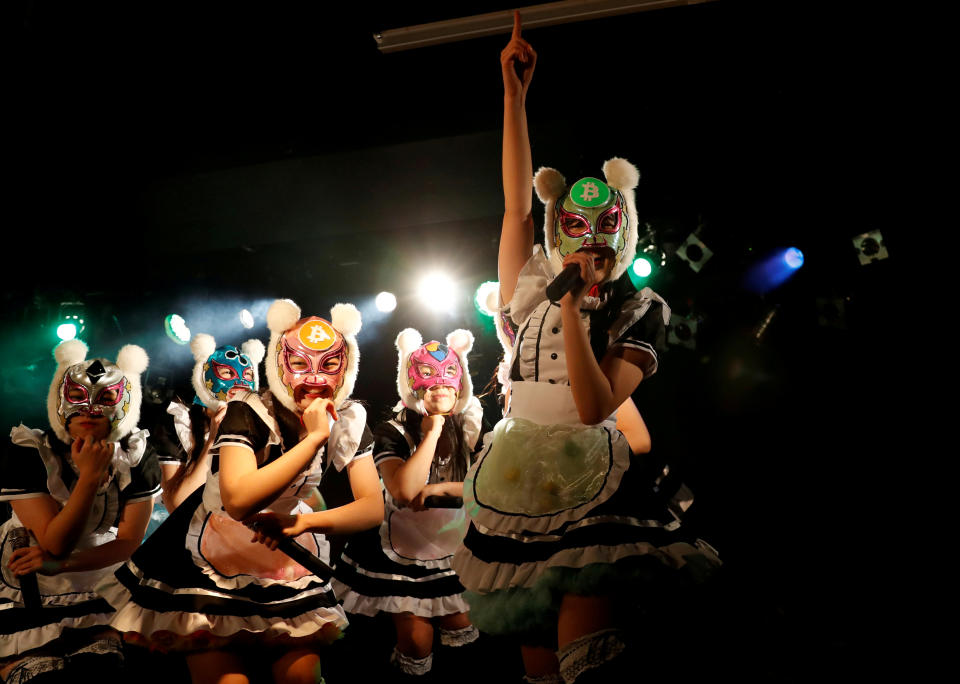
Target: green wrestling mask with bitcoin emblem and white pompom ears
(590, 214)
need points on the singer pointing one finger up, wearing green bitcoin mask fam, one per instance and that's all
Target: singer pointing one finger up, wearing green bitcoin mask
(563, 525)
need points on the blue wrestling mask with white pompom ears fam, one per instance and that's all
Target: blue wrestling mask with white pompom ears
(221, 373)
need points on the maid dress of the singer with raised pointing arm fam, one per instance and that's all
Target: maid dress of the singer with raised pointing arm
(556, 506)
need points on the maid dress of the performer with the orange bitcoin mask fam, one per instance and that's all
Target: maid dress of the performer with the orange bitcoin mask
(199, 583)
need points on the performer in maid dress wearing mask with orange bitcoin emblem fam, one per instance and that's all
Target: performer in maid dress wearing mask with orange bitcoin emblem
(199, 584)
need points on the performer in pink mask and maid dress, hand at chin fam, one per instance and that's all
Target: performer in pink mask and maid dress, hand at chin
(422, 452)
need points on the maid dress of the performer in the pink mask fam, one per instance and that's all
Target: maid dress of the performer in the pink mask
(404, 565)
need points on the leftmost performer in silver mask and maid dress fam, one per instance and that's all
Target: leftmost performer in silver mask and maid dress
(84, 489)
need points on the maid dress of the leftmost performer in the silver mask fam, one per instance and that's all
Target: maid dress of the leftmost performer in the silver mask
(39, 464)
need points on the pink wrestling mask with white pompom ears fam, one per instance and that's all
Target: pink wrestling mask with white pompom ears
(422, 366)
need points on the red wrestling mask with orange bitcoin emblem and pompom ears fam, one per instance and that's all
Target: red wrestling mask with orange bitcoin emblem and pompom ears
(312, 357)
